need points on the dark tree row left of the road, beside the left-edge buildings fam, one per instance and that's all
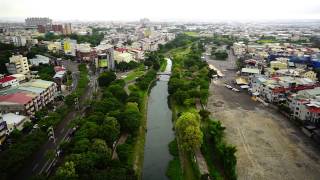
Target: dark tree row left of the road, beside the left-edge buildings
(18, 154)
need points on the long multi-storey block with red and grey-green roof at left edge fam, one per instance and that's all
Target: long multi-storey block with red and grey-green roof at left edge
(27, 98)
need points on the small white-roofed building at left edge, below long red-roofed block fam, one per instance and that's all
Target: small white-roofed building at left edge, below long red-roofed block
(14, 121)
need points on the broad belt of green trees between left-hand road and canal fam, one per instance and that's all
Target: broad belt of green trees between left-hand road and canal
(88, 156)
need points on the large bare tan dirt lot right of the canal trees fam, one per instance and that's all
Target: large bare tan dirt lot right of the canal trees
(269, 146)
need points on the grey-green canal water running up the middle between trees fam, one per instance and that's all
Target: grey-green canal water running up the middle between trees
(159, 130)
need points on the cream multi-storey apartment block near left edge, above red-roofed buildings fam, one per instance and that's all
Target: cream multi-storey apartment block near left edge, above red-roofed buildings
(18, 65)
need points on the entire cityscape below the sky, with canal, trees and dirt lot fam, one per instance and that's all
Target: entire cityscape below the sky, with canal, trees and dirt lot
(159, 100)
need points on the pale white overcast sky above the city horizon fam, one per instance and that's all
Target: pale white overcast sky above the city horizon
(157, 10)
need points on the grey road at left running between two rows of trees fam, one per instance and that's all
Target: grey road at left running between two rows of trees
(39, 164)
